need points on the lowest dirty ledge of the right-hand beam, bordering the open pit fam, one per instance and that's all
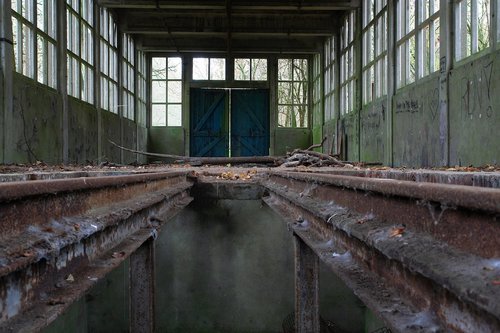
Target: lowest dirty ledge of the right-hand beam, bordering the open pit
(365, 284)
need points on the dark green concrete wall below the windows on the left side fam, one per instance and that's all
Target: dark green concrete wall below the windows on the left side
(37, 129)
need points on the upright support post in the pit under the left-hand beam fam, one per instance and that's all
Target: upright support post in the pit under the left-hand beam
(142, 284)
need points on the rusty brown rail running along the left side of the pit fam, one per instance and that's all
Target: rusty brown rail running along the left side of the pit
(16, 190)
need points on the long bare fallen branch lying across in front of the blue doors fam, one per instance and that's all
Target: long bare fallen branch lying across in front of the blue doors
(276, 160)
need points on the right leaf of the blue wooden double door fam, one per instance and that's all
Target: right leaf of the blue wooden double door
(250, 122)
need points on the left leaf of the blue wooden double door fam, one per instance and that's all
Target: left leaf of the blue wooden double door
(209, 132)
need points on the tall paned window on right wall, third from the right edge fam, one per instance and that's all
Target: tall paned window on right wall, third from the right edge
(375, 49)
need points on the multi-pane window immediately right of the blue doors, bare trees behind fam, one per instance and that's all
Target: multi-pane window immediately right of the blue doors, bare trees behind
(292, 93)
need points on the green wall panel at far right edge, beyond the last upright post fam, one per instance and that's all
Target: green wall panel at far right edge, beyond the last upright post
(475, 112)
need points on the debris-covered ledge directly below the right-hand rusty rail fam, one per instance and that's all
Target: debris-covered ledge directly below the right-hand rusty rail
(482, 297)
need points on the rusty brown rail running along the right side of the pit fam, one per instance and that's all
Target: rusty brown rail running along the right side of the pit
(478, 198)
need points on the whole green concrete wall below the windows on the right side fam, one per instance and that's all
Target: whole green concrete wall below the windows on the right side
(413, 113)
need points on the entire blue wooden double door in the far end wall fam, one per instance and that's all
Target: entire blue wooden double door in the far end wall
(229, 121)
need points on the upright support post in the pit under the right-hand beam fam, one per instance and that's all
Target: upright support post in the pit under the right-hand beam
(306, 288)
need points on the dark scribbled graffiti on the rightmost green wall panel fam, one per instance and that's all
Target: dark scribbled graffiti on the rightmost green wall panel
(476, 93)
